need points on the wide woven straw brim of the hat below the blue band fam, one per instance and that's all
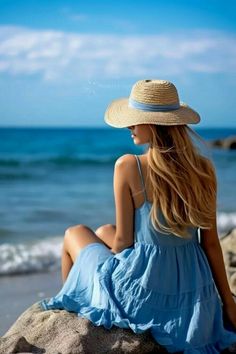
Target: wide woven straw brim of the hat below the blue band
(120, 115)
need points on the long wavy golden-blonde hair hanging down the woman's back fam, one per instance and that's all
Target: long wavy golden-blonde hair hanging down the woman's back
(183, 181)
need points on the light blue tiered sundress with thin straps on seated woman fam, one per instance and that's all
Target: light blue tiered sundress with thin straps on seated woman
(163, 283)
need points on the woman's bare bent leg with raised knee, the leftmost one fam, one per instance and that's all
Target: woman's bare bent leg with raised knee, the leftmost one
(76, 237)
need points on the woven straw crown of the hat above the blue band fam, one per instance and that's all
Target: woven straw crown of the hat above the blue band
(159, 92)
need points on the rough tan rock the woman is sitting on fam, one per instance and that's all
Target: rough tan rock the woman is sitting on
(62, 332)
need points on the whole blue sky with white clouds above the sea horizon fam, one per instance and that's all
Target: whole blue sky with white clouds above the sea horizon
(62, 62)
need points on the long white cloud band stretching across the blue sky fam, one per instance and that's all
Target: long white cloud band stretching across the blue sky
(58, 55)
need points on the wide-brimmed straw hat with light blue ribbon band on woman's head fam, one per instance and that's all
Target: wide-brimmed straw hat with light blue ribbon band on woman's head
(153, 102)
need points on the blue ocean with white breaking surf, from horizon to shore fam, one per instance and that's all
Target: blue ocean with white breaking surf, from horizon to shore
(52, 178)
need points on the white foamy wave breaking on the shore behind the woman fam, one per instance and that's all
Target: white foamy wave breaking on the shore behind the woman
(45, 255)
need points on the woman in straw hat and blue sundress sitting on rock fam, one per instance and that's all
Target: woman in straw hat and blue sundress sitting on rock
(161, 266)
